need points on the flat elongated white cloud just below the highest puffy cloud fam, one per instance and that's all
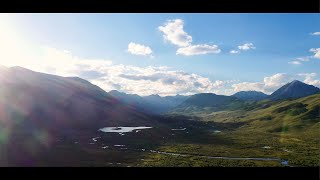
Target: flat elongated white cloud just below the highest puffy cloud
(198, 49)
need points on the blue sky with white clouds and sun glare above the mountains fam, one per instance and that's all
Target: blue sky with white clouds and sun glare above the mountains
(167, 54)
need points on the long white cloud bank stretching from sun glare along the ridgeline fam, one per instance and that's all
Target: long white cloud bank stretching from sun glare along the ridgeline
(130, 79)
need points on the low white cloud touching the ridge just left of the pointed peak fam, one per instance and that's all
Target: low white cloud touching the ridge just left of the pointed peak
(269, 84)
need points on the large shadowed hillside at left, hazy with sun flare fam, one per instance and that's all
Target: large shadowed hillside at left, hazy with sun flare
(56, 102)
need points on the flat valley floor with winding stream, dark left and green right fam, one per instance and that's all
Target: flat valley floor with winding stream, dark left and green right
(182, 143)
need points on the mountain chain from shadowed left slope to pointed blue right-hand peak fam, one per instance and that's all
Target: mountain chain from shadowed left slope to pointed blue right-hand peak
(55, 101)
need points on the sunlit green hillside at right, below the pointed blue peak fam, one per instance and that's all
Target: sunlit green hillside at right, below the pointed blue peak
(273, 115)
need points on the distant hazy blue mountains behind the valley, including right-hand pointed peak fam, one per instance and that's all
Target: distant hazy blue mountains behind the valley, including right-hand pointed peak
(157, 105)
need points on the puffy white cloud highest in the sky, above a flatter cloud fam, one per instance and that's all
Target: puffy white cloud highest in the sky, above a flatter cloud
(173, 32)
